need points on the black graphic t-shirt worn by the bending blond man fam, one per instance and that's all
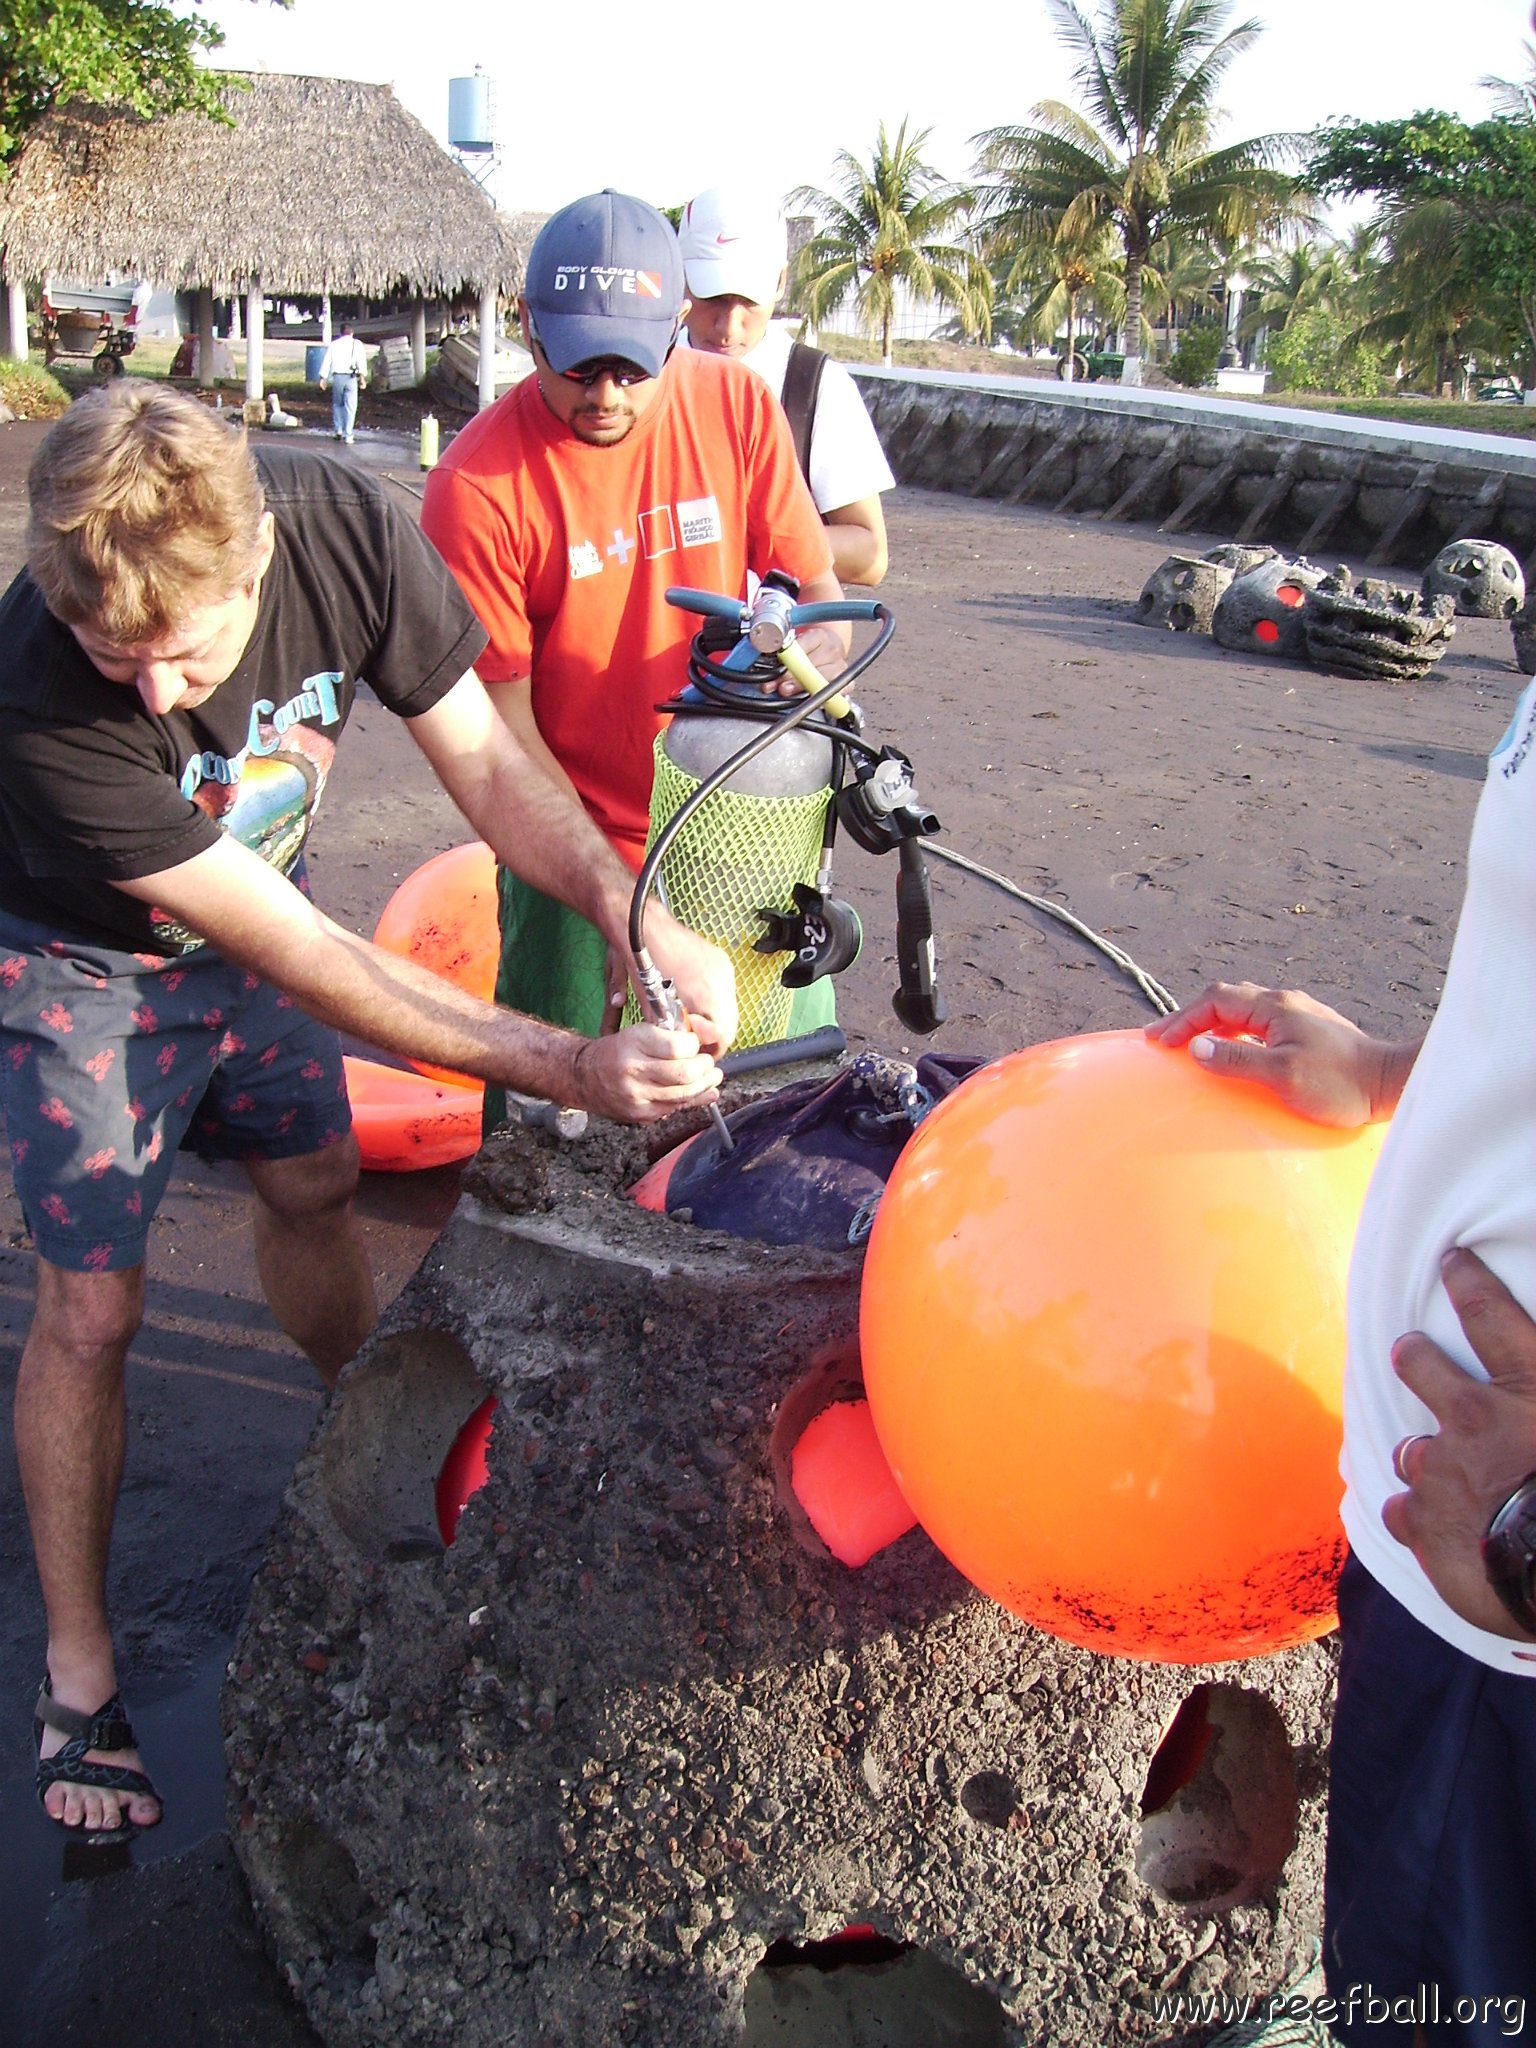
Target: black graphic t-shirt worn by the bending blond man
(95, 790)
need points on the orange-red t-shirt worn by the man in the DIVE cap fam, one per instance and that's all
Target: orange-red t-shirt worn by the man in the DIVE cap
(566, 554)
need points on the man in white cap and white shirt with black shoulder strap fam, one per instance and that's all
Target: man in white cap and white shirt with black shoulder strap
(734, 257)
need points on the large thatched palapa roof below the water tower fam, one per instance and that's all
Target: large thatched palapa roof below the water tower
(318, 185)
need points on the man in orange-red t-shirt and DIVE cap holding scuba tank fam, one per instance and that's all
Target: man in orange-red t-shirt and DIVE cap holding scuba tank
(568, 509)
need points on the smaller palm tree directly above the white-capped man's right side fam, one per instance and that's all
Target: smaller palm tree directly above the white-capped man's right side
(884, 228)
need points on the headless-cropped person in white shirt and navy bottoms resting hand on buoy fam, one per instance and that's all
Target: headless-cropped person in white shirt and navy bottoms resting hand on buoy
(1431, 1885)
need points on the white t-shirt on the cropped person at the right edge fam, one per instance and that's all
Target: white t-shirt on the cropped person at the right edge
(1459, 1168)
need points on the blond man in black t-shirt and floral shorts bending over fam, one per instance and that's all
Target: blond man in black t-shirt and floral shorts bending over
(177, 667)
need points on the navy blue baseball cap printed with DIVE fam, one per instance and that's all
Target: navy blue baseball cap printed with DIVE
(605, 280)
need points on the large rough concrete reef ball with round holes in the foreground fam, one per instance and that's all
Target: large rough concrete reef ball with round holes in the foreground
(574, 1777)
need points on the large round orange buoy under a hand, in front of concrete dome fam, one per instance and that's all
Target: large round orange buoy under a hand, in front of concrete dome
(1103, 1334)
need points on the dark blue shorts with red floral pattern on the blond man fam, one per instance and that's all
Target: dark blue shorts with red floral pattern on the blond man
(110, 1062)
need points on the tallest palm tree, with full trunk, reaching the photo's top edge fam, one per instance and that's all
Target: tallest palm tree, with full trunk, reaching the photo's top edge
(1140, 157)
